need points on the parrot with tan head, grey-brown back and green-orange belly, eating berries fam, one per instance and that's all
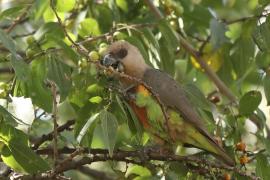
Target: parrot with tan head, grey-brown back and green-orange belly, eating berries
(183, 124)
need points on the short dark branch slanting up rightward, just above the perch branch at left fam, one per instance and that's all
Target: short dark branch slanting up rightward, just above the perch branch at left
(49, 136)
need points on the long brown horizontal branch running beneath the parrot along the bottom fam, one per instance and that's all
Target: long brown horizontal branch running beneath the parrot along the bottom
(136, 157)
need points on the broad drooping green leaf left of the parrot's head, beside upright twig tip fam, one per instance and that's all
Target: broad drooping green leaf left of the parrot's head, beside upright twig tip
(59, 73)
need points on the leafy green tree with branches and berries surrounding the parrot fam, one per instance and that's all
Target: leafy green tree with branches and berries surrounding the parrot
(63, 115)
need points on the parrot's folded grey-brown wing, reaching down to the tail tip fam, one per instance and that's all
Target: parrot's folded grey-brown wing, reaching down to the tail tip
(173, 96)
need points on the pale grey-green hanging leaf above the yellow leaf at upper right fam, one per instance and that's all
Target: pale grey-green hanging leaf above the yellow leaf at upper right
(218, 30)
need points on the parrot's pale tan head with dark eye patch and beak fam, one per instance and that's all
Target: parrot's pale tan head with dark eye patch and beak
(124, 57)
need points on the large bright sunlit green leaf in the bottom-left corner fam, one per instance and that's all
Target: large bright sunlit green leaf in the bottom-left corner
(18, 152)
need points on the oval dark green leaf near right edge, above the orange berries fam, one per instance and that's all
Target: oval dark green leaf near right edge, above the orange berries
(249, 102)
